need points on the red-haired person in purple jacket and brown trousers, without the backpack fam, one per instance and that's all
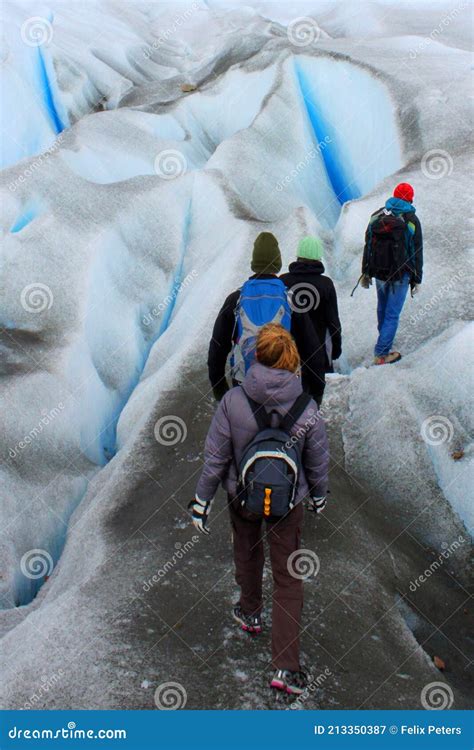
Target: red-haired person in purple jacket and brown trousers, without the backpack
(272, 381)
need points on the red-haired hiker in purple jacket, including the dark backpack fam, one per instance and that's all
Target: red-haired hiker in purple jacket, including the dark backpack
(294, 465)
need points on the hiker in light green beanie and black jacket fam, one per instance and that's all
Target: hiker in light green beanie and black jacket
(315, 293)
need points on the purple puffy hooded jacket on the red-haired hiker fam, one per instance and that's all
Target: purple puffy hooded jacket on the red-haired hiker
(234, 425)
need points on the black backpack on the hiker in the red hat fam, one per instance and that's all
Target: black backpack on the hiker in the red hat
(387, 246)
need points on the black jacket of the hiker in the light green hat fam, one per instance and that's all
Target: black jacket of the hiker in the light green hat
(324, 315)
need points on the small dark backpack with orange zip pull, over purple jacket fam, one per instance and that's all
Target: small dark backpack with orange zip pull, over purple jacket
(270, 468)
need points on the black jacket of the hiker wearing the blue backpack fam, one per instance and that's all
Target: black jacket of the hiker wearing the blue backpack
(223, 336)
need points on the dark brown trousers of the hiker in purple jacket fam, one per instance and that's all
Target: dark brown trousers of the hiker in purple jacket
(283, 536)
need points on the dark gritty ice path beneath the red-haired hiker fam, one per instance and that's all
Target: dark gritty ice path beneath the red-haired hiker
(156, 606)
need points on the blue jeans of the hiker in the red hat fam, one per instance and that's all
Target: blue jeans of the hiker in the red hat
(390, 300)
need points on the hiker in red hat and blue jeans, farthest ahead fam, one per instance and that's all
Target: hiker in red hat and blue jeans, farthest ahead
(393, 255)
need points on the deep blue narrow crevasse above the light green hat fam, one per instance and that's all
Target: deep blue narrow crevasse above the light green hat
(337, 174)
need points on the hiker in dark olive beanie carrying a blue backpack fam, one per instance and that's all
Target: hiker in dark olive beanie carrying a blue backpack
(262, 299)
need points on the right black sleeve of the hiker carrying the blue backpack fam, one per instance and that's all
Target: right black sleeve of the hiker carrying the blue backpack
(311, 351)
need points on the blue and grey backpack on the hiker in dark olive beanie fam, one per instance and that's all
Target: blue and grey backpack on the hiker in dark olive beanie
(261, 301)
